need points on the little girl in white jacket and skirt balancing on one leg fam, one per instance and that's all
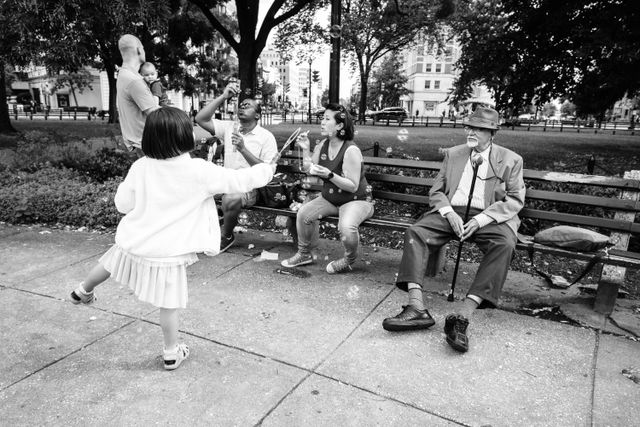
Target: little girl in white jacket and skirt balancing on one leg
(170, 214)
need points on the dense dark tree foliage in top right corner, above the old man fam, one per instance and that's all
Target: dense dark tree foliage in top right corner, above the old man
(531, 52)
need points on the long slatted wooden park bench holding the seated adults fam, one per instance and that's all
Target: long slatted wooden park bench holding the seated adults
(605, 204)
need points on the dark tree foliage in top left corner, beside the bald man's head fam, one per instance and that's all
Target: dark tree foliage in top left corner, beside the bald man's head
(67, 35)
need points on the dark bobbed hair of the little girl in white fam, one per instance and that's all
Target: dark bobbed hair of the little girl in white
(168, 132)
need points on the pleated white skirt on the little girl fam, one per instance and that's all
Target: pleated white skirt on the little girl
(158, 281)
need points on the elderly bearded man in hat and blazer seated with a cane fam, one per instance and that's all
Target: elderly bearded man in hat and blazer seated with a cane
(498, 196)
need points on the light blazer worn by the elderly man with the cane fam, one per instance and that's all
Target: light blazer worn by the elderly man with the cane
(504, 190)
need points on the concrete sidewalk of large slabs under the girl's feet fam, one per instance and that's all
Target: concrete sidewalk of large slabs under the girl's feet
(273, 349)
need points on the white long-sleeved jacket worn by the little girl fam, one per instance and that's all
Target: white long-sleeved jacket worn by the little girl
(169, 204)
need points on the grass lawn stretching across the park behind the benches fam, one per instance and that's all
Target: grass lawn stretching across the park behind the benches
(557, 151)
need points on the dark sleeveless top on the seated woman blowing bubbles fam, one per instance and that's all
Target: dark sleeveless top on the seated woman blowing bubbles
(330, 191)
